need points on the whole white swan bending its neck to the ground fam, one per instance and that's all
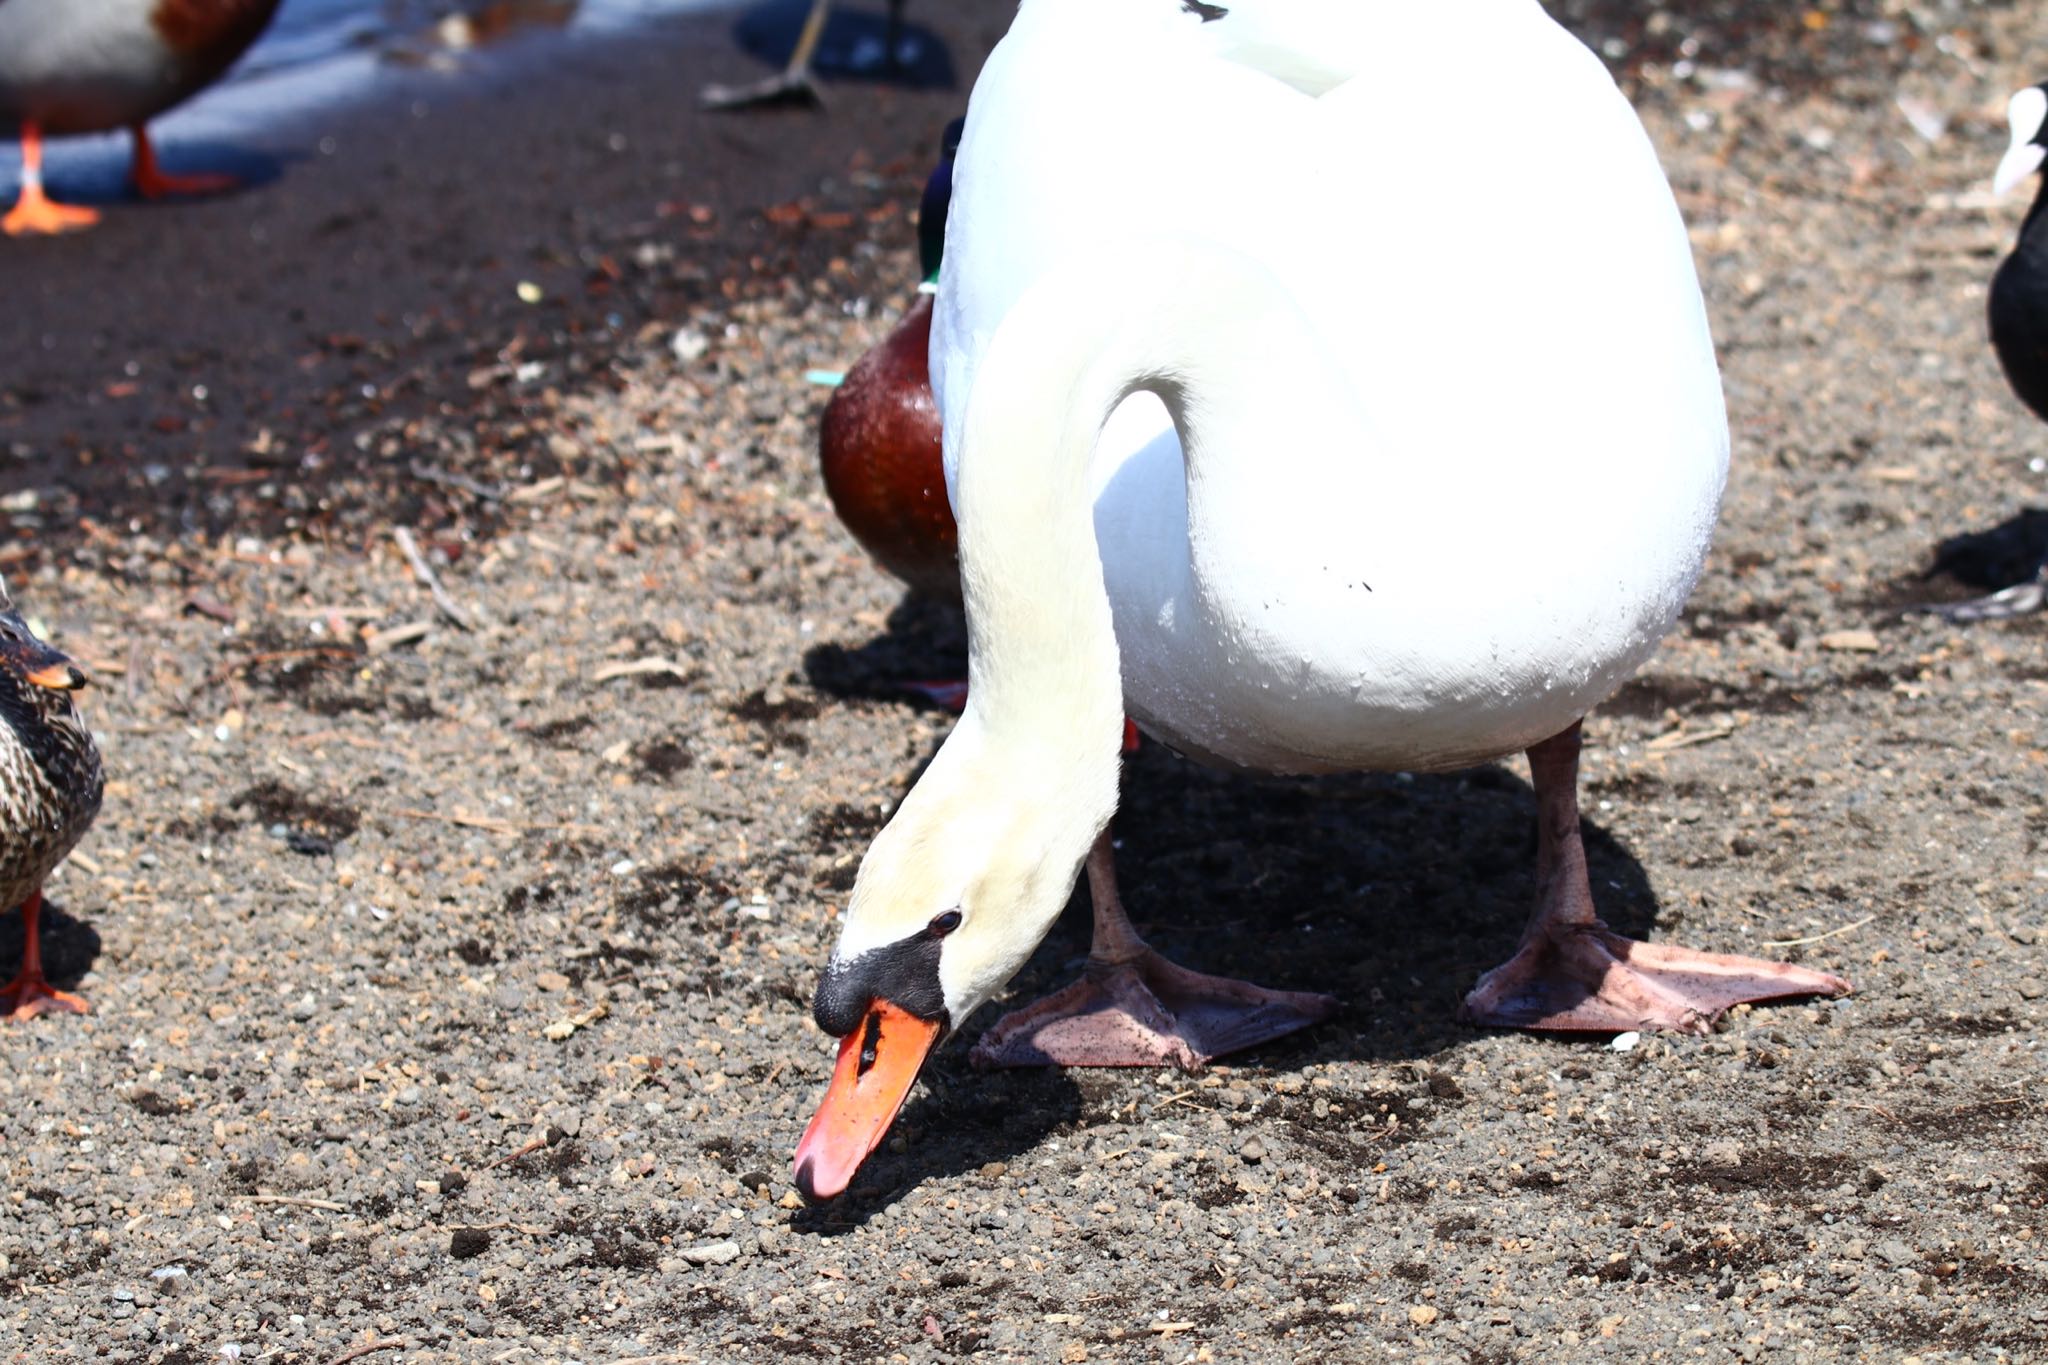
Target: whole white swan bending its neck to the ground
(1271, 429)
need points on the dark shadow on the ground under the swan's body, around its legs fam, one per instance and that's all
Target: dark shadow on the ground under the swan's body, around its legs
(1390, 891)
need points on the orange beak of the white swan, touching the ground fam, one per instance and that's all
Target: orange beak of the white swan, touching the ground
(878, 1065)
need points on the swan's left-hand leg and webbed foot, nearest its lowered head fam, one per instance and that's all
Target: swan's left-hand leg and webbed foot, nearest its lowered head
(1134, 1008)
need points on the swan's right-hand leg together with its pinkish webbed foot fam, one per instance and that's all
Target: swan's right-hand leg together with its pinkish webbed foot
(1574, 973)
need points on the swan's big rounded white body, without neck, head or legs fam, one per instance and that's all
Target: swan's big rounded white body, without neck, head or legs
(1476, 502)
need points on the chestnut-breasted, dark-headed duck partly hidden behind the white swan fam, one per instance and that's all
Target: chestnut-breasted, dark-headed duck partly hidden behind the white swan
(880, 443)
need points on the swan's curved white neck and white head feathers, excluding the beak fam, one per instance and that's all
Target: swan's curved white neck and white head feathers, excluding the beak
(1000, 822)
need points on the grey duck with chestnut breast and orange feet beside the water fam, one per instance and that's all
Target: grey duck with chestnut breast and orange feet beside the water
(91, 67)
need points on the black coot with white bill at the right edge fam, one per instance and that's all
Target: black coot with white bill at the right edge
(2020, 320)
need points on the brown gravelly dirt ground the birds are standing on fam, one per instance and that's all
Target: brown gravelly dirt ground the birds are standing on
(452, 985)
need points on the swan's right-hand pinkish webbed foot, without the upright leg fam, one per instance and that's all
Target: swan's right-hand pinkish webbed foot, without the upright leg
(1586, 979)
